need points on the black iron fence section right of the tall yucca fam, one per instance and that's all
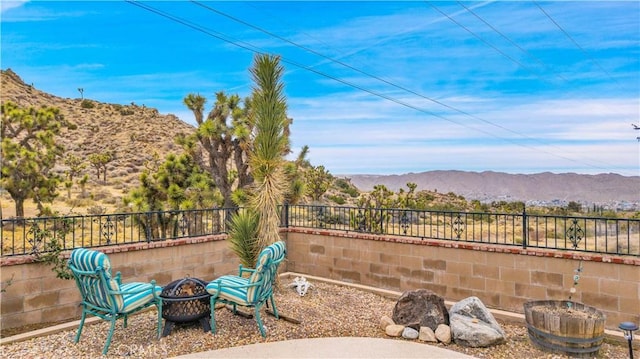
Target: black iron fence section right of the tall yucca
(588, 234)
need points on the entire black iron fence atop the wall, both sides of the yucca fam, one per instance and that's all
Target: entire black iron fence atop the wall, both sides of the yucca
(588, 234)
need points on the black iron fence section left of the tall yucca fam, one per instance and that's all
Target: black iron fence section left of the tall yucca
(42, 234)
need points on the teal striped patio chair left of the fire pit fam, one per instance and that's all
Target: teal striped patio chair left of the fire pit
(104, 296)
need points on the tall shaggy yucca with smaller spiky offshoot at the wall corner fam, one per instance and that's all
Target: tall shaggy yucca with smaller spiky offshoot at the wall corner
(258, 226)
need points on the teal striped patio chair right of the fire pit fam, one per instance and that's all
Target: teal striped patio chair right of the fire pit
(253, 290)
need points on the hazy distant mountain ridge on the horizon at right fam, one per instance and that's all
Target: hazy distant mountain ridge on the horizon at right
(489, 186)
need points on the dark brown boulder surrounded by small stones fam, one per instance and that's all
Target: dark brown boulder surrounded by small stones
(420, 308)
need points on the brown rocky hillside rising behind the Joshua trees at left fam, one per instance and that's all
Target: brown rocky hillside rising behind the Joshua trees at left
(133, 133)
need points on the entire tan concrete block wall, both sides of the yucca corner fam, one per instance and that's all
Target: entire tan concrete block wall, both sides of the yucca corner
(502, 277)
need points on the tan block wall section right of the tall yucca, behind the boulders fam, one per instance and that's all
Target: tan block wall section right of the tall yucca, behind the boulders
(502, 277)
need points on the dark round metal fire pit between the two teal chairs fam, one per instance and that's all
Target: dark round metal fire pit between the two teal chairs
(184, 301)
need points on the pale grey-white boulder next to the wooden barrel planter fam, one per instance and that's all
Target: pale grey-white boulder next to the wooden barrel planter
(472, 325)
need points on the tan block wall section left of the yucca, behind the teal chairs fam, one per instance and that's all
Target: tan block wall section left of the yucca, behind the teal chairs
(35, 295)
